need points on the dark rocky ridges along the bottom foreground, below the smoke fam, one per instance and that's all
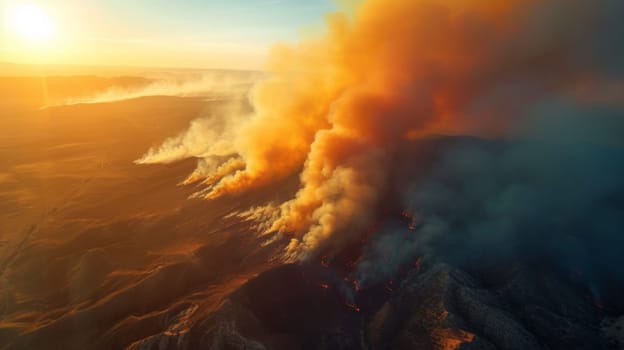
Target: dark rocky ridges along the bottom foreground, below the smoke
(436, 307)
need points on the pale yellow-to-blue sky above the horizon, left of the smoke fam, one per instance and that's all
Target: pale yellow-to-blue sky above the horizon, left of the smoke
(163, 33)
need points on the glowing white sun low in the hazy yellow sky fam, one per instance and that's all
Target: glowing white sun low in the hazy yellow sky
(31, 23)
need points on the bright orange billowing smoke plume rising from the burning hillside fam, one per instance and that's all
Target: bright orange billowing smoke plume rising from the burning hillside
(337, 104)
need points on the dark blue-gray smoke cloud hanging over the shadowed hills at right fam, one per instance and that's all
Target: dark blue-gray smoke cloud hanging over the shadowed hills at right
(552, 194)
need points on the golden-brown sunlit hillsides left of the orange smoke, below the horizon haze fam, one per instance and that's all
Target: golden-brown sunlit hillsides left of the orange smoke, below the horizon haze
(94, 249)
